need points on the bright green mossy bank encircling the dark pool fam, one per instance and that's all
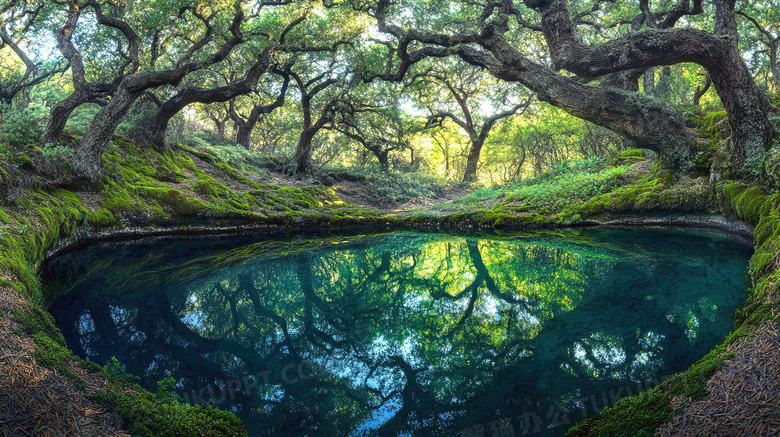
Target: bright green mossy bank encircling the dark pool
(179, 190)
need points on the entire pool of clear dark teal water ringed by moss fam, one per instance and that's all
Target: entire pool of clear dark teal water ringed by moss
(404, 333)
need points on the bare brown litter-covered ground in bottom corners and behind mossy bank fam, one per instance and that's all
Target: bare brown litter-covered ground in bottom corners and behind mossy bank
(35, 400)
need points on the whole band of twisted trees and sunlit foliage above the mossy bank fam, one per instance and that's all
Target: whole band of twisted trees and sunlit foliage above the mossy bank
(443, 86)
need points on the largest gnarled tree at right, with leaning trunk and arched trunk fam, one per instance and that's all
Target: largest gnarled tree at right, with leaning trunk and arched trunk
(487, 35)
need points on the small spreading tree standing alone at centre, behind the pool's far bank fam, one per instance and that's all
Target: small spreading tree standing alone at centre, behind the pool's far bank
(469, 89)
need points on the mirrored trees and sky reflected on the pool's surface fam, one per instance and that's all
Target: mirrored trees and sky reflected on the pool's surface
(435, 331)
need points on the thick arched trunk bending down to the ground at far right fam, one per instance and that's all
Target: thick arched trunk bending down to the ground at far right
(717, 52)
